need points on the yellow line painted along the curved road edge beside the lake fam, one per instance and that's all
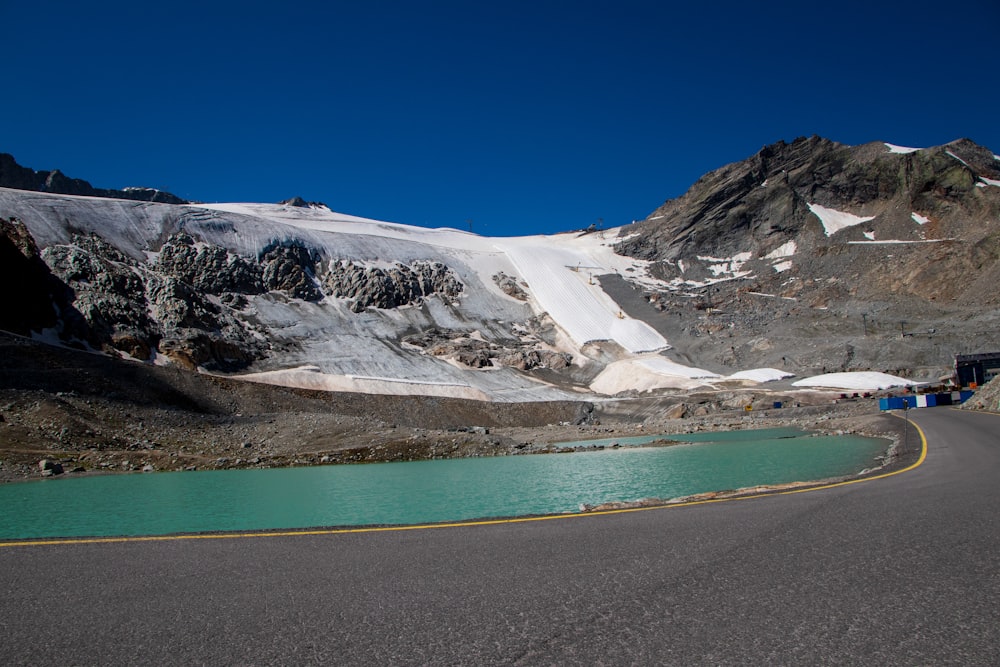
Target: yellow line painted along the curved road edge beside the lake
(457, 524)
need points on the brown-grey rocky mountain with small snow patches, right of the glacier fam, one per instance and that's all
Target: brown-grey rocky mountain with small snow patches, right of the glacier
(816, 255)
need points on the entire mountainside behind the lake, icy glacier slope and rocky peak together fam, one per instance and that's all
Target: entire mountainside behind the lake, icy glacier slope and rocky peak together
(807, 258)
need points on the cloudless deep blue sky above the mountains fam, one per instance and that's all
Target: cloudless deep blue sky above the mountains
(523, 116)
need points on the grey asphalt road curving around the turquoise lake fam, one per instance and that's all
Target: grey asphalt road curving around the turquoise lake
(898, 571)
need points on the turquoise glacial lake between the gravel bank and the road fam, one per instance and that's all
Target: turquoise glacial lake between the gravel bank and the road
(425, 491)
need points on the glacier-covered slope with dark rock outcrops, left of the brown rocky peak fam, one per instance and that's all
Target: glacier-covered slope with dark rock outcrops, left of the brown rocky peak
(306, 297)
